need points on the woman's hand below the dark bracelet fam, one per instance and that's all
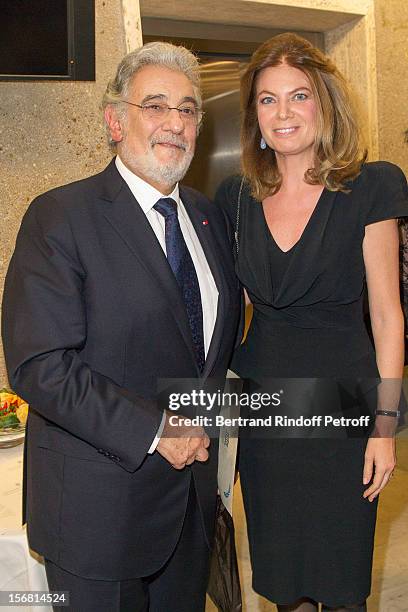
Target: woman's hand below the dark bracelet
(380, 460)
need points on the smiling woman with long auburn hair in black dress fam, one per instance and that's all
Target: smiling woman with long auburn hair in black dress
(315, 223)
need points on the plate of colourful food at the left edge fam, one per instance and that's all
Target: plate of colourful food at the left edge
(13, 417)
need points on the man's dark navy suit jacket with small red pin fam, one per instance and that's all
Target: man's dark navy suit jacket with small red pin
(92, 317)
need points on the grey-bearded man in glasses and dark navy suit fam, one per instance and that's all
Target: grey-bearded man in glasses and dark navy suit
(117, 281)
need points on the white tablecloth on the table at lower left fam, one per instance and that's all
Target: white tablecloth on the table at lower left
(20, 568)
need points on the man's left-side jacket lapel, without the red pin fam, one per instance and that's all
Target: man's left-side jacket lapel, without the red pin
(130, 223)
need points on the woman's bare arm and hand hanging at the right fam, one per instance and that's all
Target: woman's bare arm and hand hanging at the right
(380, 250)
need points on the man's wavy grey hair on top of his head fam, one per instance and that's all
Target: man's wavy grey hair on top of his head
(157, 54)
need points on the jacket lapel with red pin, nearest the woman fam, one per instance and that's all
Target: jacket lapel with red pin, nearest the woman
(208, 242)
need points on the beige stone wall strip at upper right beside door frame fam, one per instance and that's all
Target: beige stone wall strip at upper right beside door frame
(391, 17)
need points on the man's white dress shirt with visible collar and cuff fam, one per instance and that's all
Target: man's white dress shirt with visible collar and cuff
(147, 196)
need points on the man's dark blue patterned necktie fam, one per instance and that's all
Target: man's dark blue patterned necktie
(180, 261)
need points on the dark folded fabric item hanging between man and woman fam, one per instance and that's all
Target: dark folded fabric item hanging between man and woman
(224, 586)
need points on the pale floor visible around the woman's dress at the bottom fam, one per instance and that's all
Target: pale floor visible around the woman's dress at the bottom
(390, 571)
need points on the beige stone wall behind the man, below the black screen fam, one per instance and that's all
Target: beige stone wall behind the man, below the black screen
(52, 133)
